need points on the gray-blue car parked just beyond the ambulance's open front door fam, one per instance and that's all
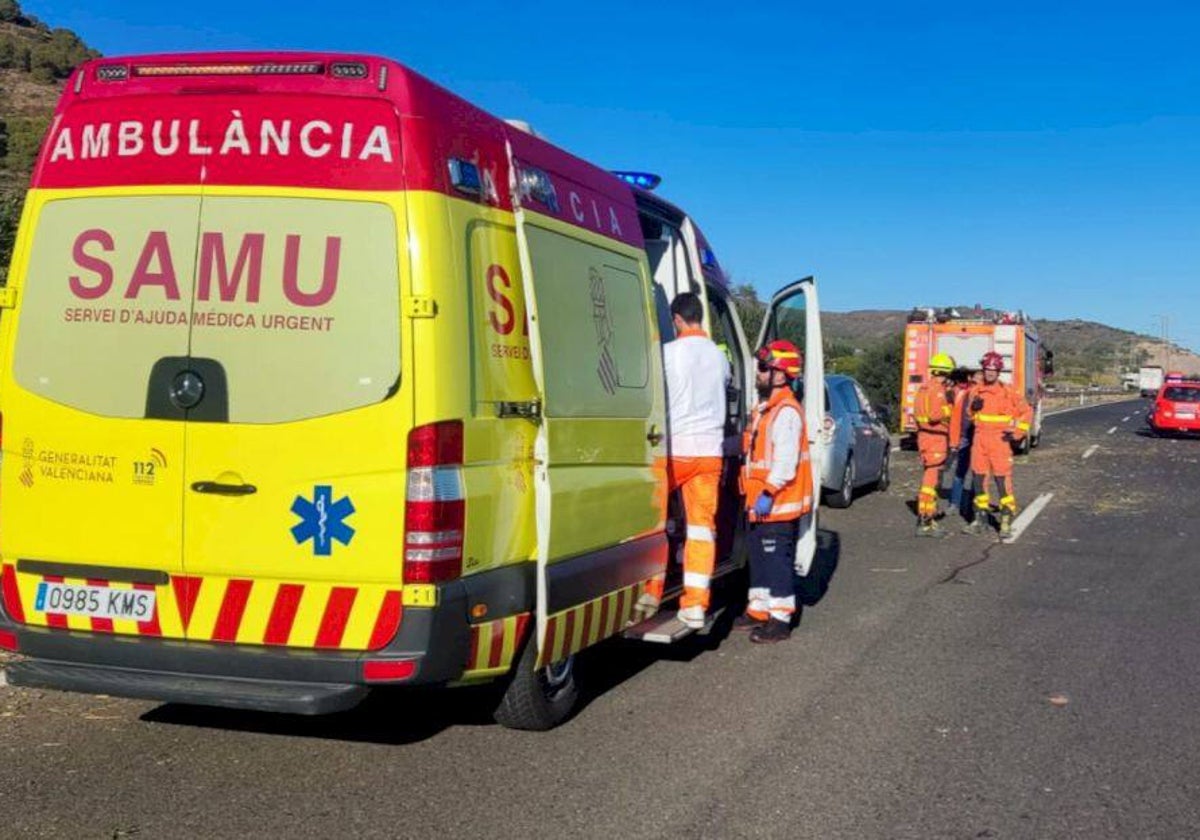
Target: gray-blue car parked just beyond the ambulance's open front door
(857, 443)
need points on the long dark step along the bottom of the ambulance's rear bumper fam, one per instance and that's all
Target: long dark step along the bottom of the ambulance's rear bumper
(259, 695)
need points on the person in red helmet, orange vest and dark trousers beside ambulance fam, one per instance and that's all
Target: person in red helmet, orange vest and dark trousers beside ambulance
(777, 482)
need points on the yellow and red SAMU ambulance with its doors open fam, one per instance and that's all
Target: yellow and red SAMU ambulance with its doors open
(317, 377)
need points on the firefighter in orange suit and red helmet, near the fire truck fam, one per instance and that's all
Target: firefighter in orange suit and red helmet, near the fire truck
(1001, 417)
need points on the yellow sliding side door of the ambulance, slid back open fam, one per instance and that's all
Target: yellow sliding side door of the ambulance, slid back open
(599, 502)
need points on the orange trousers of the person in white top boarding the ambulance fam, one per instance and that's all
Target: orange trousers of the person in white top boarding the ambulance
(700, 482)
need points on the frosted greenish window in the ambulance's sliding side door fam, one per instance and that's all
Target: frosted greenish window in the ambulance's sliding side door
(595, 328)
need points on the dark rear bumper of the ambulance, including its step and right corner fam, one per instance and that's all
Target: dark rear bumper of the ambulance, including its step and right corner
(436, 641)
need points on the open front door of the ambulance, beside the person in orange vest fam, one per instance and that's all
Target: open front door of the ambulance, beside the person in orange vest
(795, 315)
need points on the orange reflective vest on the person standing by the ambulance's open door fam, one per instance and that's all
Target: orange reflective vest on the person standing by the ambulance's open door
(794, 500)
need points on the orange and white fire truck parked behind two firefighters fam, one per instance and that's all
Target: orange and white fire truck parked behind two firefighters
(965, 335)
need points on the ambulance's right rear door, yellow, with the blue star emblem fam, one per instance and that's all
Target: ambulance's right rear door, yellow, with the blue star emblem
(295, 479)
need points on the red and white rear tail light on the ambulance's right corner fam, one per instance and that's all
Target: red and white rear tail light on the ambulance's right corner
(435, 507)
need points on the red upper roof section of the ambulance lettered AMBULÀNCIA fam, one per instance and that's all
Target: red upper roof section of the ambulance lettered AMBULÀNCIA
(391, 130)
